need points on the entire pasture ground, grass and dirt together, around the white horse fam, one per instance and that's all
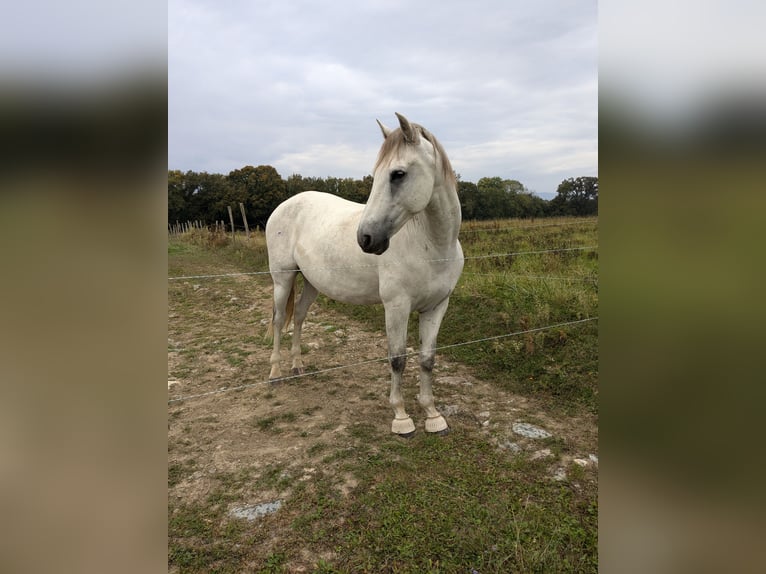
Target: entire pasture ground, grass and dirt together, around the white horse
(352, 497)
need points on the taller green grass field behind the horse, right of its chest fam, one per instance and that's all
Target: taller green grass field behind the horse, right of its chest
(503, 295)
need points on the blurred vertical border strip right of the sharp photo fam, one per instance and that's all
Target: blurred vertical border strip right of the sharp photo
(682, 141)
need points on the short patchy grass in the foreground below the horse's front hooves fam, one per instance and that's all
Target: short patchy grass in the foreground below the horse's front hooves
(448, 505)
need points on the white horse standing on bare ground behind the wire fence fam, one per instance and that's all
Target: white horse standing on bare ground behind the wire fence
(400, 249)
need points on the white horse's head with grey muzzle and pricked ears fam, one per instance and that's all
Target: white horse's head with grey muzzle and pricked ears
(403, 183)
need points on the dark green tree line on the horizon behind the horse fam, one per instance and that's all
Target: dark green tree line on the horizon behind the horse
(194, 196)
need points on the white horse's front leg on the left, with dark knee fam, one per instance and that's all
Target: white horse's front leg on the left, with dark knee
(396, 331)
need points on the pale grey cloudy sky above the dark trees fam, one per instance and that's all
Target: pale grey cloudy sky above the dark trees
(508, 86)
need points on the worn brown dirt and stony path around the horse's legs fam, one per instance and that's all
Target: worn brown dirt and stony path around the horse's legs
(279, 433)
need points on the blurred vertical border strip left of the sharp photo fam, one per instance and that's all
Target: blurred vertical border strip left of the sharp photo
(83, 110)
